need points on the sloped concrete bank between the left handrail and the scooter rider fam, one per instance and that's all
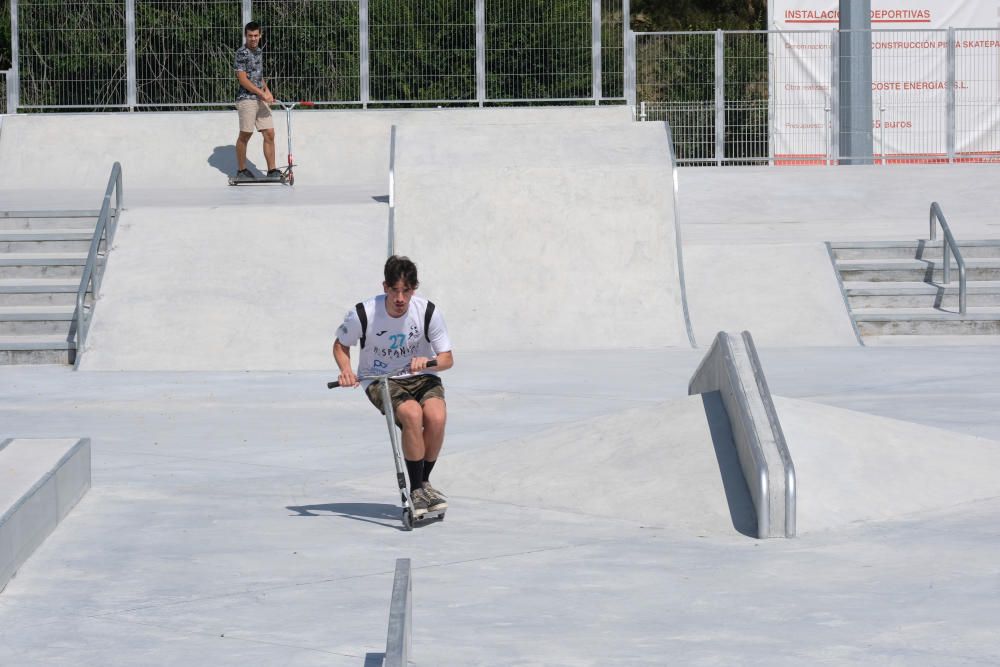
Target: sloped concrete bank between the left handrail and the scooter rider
(233, 288)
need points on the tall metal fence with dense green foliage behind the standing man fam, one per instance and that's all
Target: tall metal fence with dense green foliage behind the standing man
(96, 54)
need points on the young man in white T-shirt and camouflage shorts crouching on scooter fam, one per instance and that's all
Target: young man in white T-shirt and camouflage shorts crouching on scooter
(401, 331)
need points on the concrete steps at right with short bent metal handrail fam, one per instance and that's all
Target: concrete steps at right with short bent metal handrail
(895, 288)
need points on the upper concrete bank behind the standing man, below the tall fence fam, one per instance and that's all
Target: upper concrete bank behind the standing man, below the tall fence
(195, 150)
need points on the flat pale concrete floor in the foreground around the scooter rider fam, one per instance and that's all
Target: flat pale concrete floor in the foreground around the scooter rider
(250, 518)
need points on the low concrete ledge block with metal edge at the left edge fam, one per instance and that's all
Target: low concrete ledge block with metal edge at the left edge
(40, 482)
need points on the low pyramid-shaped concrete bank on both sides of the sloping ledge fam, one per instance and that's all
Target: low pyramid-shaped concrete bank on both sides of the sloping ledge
(672, 465)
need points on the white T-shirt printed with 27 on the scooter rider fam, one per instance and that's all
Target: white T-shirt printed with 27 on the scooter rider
(390, 342)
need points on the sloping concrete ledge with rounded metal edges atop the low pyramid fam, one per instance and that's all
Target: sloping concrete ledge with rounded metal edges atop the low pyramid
(733, 369)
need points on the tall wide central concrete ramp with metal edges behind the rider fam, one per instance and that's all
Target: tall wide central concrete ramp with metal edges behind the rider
(554, 236)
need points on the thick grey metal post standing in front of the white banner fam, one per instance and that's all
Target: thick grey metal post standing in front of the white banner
(856, 82)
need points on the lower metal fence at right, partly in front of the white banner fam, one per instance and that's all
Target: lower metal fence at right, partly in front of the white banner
(774, 97)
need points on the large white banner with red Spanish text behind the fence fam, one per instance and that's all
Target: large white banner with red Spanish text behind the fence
(910, 79)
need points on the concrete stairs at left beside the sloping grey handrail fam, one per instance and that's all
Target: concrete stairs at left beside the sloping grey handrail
(42, 256)
